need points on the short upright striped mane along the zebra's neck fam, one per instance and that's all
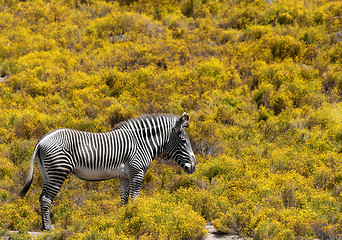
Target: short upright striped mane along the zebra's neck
(129, 123)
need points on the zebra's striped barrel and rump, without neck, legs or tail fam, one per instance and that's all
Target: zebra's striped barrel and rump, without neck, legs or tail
(84, 151)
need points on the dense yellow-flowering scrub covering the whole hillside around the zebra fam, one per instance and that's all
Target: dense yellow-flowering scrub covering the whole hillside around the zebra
(261, 80)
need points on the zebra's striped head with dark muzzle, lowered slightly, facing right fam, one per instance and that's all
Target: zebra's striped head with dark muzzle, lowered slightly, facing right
(179, 146)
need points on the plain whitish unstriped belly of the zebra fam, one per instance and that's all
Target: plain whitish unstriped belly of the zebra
(99, 174)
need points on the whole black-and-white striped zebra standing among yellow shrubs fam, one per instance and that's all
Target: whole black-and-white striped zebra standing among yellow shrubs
(125, 152)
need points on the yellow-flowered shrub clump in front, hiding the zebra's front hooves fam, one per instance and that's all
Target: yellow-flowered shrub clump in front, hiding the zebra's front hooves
(148, 217)
